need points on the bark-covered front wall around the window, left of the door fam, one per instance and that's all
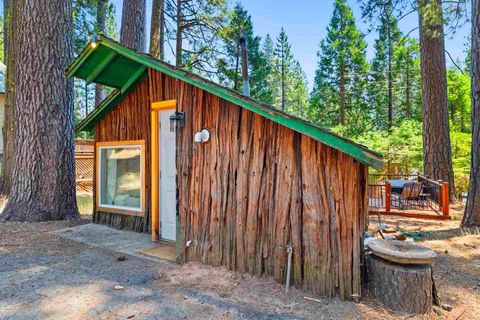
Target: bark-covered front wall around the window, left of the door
(129, 120)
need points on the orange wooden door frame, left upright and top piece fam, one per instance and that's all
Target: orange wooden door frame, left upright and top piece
(155, 108)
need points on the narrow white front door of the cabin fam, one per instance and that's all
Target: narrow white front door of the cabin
(167, 177)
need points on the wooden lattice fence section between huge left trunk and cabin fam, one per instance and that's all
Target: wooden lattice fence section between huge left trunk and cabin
(84, 158)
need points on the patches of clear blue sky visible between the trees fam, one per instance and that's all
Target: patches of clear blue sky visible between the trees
(305, 22)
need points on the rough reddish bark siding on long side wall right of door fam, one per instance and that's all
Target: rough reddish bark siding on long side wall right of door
(257, 187)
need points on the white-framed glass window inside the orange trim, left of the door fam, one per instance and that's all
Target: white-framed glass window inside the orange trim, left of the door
(120, 175)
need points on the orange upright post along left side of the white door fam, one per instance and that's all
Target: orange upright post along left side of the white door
(154, 178)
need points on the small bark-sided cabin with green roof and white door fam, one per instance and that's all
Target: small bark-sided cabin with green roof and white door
(231, 180)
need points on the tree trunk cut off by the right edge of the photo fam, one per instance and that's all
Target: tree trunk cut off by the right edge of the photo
(471, 218)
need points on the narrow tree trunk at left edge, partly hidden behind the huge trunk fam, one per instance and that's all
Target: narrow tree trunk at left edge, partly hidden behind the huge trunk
(10, 9)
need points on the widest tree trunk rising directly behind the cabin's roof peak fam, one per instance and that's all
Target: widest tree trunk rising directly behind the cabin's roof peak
(132, 33)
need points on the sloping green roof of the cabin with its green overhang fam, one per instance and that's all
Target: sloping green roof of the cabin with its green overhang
(107, 62)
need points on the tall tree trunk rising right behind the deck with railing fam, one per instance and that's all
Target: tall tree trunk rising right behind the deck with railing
(436, 128)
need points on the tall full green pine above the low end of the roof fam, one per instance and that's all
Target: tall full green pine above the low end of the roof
(339, 90)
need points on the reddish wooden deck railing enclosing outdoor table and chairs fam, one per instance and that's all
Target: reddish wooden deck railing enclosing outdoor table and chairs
(419, 196)
